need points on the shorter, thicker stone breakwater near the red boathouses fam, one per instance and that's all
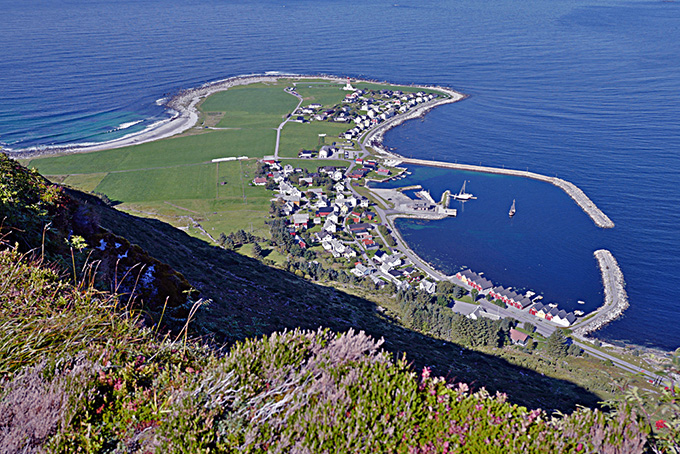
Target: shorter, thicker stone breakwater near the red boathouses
(615, 296)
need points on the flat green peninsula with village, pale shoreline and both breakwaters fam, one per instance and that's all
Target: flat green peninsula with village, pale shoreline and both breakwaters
(315, 141)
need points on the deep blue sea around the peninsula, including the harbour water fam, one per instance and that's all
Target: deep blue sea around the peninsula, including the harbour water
(588, 90)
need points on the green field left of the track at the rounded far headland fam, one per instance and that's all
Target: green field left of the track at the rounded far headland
(251, 106)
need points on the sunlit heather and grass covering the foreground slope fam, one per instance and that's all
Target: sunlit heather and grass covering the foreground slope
(78, 374)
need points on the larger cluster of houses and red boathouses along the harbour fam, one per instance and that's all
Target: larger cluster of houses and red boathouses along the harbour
(323, 210)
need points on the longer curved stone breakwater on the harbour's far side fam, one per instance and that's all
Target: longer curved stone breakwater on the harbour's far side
(599, 218)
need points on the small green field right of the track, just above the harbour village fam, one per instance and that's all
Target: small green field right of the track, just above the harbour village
(297, 136)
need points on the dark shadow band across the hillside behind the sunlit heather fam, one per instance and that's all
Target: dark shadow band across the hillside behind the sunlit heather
(251, 299)
